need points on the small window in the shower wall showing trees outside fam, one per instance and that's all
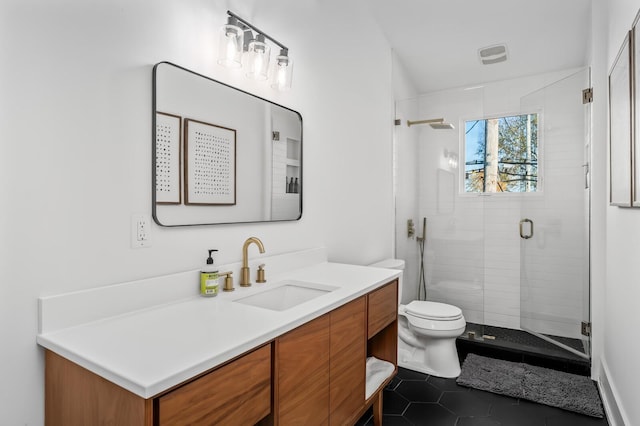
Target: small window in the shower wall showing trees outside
(501, 154)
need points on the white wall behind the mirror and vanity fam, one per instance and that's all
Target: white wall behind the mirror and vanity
(75, 122)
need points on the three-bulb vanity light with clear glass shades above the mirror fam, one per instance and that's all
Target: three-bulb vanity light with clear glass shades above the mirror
(240, 48)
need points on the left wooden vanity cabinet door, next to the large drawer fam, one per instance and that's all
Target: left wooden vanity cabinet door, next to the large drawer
(303, 374)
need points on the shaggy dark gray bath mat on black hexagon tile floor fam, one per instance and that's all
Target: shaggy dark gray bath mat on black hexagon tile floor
(545, 386)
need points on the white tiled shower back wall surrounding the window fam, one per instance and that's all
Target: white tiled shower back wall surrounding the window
(478, 243)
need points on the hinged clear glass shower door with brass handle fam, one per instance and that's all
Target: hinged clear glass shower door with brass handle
(554, 254)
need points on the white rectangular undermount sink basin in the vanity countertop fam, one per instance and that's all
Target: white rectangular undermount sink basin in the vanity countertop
(286, 294)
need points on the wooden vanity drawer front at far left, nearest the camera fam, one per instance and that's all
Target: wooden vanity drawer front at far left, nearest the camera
(237, 393)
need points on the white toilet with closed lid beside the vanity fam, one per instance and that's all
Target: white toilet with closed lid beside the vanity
(427, 332)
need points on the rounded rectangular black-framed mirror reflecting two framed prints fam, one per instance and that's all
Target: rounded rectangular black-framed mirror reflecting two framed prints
(221, 155)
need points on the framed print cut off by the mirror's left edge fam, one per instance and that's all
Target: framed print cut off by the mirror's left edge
(168, 133)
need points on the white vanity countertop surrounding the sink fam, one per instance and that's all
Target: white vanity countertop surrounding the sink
(150, 350)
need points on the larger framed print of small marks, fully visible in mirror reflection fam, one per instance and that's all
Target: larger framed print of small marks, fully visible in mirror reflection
(210, 163)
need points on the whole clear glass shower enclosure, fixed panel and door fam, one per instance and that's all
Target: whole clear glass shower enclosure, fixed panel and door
(509, 258)
